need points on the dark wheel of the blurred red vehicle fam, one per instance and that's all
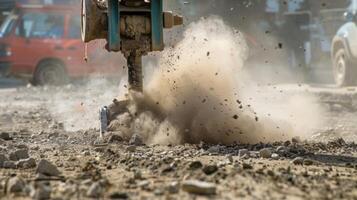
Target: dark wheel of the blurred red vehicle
(50, 73)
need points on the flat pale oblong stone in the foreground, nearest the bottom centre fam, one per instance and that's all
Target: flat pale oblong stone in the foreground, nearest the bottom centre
(199, 187)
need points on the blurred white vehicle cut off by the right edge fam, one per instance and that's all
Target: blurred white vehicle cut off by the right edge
(344, 51)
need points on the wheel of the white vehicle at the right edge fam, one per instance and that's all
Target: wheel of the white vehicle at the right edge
(343, 69)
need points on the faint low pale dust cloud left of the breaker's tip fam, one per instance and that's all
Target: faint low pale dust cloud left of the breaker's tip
(77, 106)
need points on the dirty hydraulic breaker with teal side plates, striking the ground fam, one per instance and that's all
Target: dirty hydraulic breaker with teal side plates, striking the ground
(134, 27)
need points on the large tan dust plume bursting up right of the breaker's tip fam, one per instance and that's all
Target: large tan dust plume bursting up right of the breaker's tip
(199, 93)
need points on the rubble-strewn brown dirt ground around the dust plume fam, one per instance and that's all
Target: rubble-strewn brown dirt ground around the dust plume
(80, 166)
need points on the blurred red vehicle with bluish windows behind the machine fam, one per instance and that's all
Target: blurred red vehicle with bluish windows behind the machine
(43, 44)
